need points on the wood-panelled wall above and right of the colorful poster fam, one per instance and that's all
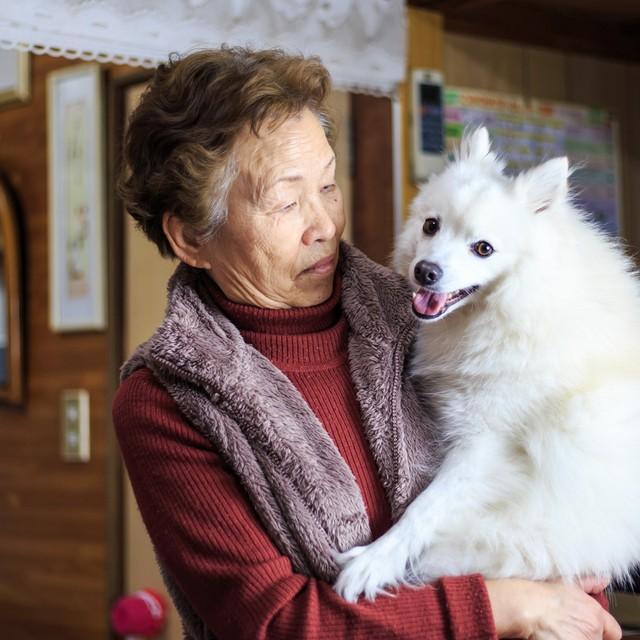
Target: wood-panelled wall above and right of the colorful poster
(544, 73)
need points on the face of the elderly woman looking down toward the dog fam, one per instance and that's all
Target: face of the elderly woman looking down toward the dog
(279, 245)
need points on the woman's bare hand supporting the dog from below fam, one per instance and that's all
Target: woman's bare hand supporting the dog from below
(550, 611)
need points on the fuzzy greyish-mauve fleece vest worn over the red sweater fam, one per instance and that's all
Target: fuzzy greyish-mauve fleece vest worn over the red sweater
(302, 489)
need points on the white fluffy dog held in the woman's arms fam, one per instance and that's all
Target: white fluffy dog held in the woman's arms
(529, 353)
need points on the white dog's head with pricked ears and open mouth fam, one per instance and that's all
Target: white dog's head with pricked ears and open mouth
(470, 225)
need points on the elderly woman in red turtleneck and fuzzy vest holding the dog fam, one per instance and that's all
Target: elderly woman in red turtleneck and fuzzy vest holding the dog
(270, 420)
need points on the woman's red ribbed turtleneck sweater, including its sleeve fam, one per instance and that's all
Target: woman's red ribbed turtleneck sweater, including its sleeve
(210, 539)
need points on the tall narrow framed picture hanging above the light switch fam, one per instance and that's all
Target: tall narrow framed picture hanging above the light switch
(77, 226)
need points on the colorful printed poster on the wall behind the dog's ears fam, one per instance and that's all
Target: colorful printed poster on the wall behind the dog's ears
(526, 134)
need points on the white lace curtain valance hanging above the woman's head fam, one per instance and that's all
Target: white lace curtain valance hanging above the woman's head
(362, 42)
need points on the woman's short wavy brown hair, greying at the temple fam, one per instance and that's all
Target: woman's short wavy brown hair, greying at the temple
(177, 151)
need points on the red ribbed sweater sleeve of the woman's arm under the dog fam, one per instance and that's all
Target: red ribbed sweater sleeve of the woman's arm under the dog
(210, 539)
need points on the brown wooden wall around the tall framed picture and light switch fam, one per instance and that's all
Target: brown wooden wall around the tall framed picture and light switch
(53, 515)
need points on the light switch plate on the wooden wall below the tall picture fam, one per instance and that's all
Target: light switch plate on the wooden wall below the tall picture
(74, 423)
